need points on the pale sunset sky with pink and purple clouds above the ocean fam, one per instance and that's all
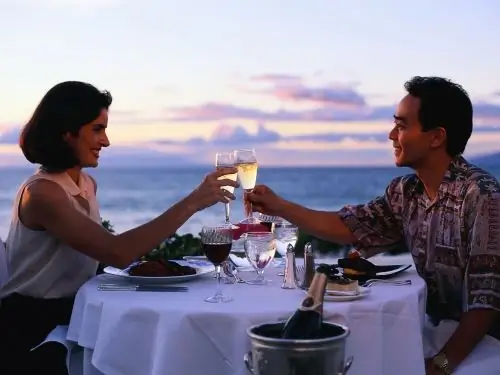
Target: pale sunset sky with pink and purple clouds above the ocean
(304, 82)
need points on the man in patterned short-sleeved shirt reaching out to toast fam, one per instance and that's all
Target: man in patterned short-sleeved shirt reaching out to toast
(447, 214)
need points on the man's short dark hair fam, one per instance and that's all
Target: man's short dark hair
(445, 104)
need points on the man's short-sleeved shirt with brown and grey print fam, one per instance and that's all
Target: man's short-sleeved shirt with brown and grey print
(454, 239)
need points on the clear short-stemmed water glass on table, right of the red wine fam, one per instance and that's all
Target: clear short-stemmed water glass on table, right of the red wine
(260, 248)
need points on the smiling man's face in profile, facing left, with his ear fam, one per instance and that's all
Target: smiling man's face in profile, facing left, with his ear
(412, 146)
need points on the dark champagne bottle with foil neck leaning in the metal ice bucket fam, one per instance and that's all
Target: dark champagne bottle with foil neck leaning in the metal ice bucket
(307, 321)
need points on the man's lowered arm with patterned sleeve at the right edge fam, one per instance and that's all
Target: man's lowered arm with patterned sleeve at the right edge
(482, 277)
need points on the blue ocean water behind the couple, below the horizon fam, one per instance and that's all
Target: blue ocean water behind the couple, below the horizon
(129, 197)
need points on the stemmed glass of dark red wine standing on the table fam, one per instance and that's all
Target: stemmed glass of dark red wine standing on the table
(217, 242)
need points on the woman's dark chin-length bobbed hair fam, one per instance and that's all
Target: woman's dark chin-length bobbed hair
(65, 108)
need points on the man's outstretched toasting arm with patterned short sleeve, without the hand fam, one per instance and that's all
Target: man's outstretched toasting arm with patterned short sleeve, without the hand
(372, 227)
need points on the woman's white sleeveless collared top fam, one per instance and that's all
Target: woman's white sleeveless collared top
(40, 265)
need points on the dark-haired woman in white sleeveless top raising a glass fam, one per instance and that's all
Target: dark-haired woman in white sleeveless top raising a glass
(56, 239)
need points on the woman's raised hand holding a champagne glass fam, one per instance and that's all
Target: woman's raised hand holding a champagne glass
(210, 191)
